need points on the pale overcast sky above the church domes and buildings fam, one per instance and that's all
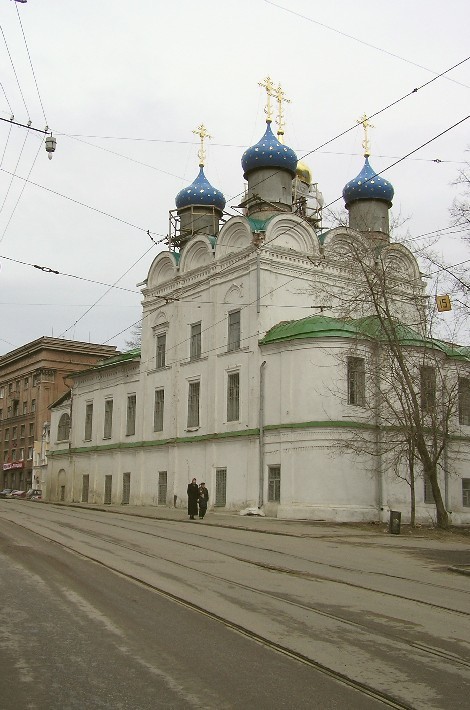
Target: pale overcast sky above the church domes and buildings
(123, 84)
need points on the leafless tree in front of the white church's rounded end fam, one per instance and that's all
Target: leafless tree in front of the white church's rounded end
(414, 389)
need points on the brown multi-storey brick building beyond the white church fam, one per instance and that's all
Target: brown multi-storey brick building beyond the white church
(31, 378)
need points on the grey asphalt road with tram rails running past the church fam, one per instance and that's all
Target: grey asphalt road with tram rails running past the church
(112, 611)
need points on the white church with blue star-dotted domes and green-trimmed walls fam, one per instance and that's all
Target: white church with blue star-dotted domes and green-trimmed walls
(254, 373)
